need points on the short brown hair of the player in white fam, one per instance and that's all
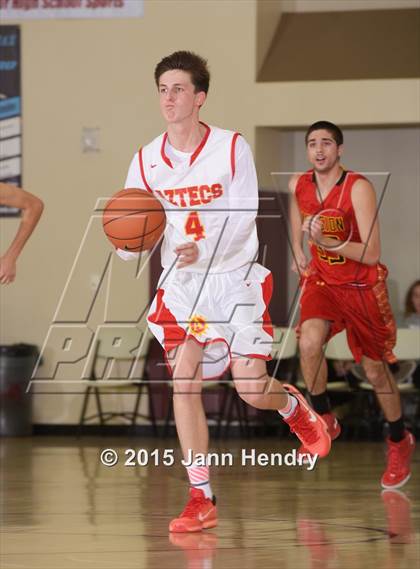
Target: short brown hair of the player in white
(187, 61)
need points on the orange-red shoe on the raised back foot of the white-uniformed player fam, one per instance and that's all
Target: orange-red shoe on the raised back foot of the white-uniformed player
(308, 426)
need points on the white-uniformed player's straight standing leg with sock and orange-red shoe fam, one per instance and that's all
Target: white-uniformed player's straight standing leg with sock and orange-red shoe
(200, 511)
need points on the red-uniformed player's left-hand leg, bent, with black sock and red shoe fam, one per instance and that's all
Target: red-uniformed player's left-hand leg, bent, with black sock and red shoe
(313, 335)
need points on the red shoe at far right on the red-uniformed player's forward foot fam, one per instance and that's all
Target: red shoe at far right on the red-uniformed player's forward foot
(399, 454)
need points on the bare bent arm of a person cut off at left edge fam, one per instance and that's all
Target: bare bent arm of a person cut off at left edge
(32, 208)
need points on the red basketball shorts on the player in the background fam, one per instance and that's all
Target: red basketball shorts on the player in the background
(364, 312)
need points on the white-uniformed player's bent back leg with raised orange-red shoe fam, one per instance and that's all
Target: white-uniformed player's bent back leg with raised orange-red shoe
(258, 389)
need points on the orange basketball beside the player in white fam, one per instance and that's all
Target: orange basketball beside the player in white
(133, 220)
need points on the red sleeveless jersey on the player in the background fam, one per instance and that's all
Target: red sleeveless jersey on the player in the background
(338, 222)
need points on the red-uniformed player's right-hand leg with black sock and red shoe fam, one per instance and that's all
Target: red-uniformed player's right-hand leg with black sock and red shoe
(400, 442)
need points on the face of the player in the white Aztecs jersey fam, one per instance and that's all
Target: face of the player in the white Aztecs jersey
(177, 97)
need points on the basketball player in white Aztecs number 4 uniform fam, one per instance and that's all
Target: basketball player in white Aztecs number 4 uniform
(211, 307)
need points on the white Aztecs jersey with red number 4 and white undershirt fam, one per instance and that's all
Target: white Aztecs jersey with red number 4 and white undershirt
(210, 197)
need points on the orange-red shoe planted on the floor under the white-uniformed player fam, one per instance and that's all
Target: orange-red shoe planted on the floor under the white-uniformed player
(199, 513)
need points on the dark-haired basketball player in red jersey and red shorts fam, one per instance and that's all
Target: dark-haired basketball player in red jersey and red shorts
(344, 286)
